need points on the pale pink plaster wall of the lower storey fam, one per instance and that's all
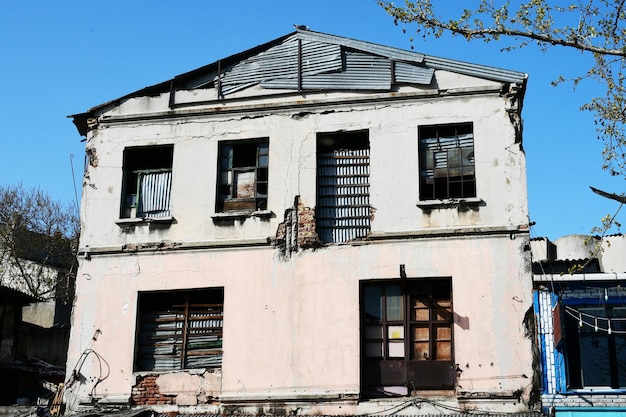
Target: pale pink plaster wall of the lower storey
(293, 327)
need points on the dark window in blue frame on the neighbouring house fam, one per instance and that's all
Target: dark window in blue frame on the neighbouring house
(595, 356)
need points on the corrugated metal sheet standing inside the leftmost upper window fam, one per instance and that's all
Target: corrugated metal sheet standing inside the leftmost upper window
(154, 194)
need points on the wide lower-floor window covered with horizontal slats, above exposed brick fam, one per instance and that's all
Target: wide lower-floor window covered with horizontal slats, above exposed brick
(180, 330)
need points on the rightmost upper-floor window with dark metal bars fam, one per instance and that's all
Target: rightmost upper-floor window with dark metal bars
(447, 161)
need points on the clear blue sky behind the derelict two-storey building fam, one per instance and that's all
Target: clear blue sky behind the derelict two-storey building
(61, 58)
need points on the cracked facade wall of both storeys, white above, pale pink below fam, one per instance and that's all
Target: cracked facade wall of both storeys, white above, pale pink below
(291, 305)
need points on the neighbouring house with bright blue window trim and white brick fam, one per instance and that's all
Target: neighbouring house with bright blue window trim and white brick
(580, 302)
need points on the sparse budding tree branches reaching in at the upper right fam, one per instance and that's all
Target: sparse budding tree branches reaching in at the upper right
(596, 27)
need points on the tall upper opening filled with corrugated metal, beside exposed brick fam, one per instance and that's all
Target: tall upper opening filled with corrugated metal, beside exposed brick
(343, 210)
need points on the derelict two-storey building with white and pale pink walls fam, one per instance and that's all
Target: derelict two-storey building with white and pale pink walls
(317, 225)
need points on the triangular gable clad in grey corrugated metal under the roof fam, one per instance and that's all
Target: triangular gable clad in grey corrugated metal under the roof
(306, 60)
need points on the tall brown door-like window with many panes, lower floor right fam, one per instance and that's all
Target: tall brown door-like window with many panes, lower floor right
(406, 333)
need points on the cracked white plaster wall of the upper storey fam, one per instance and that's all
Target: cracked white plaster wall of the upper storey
(500, 168)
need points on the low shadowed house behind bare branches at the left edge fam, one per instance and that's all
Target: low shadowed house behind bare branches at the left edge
(35, 300)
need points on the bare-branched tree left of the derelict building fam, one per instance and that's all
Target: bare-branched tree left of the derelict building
(38, 237)
